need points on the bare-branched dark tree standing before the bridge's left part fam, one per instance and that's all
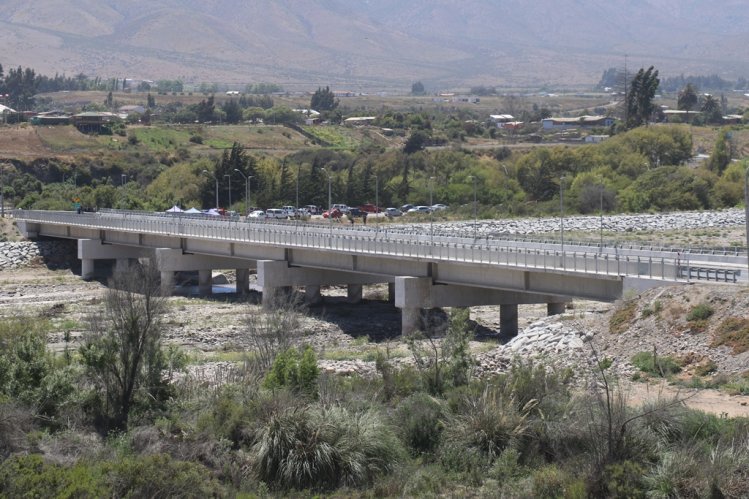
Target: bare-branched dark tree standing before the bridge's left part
(122, 352)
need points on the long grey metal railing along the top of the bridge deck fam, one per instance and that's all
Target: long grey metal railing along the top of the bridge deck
(377, 241)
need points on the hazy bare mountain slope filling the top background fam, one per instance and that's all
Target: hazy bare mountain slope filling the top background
(367, 45)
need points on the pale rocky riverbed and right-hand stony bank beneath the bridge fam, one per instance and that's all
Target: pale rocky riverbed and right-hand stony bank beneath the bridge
(347, 337)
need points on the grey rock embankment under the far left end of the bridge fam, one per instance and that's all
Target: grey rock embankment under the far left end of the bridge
(56, 254)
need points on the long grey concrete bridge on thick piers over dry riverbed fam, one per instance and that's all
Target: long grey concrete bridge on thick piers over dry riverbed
(422, 270)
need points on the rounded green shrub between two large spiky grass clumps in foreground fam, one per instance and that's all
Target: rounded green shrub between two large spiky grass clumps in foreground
(420, 420)
